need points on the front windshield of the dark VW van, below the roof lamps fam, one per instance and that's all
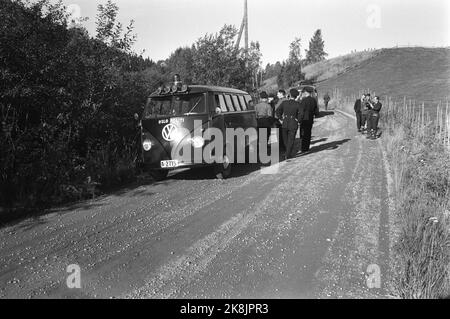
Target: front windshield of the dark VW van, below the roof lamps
(175, 105)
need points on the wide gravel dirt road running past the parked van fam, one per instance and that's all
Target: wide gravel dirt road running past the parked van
(311, 230)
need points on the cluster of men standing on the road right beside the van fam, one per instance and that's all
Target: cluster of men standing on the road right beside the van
(287, 115)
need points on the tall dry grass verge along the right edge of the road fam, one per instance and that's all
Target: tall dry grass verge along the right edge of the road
(421, 172)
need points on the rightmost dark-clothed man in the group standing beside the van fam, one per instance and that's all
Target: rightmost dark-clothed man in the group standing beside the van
(308, 110)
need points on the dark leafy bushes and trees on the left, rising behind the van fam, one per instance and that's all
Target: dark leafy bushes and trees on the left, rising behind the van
(67, 99)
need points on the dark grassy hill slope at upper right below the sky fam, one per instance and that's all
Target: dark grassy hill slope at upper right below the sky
(422, 74)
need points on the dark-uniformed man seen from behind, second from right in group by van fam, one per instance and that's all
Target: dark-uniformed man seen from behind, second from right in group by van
(288, 112)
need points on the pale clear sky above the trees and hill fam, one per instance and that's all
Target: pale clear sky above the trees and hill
(164, 25)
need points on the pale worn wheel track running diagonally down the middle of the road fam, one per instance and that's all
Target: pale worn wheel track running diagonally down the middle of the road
(176, 277)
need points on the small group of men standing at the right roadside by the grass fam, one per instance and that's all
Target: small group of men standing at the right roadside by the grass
(367, 111)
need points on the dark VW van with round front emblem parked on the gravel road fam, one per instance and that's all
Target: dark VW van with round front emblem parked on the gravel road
(173, 118)
